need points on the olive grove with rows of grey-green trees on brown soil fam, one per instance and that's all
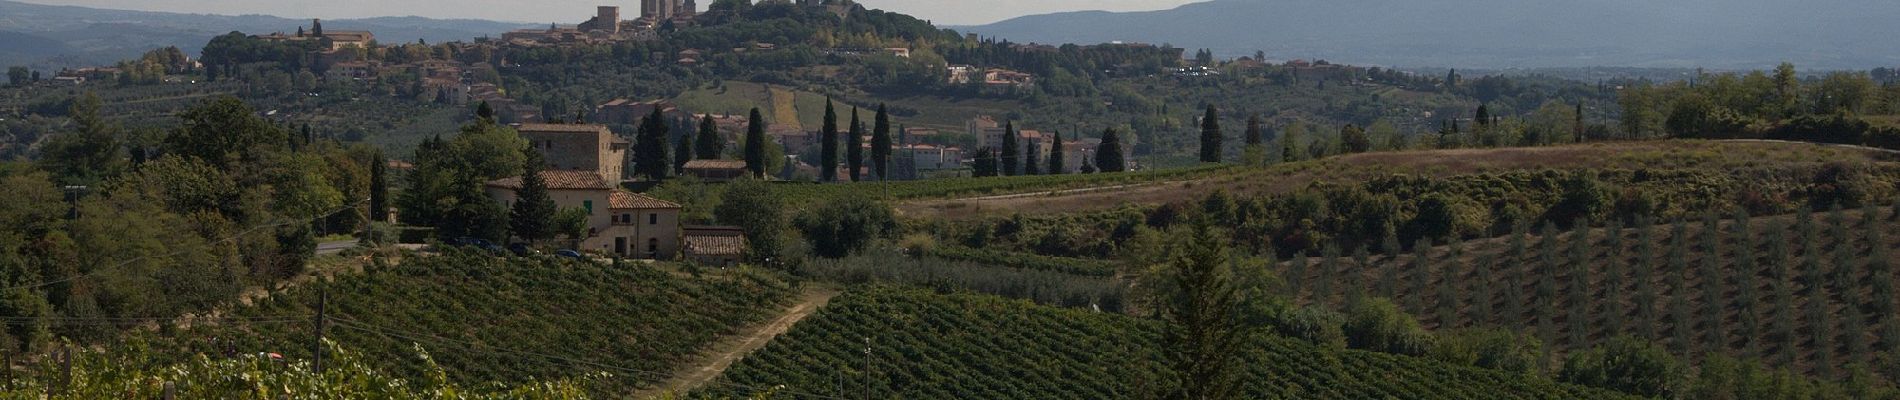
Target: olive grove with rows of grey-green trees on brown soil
(1808, 293)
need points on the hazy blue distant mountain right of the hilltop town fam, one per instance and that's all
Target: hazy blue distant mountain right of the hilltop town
(1502, 33)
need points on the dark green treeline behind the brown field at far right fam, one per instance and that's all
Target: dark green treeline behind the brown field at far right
(1764, 105)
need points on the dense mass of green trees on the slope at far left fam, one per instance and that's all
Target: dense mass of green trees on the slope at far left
(102, 227)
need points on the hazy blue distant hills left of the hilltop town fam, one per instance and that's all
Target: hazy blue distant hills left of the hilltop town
(102, 37)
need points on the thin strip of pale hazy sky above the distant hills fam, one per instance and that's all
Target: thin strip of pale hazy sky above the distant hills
(941, 12)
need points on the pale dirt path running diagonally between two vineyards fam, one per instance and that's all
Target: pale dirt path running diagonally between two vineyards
(712, 363)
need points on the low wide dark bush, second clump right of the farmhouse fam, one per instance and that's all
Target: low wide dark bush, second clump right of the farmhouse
(845, 227)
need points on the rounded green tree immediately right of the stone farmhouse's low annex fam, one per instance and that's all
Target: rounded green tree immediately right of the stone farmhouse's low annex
(759, 213)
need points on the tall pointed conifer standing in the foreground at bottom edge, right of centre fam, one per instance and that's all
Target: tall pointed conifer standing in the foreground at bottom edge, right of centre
(1202, 308)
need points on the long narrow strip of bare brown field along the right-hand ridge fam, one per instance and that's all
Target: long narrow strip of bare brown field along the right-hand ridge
(1289, 177)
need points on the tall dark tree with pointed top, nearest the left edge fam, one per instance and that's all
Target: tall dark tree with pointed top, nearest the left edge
(90, 155)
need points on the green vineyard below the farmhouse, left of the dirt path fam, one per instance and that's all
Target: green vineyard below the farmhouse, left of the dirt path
(504, 319)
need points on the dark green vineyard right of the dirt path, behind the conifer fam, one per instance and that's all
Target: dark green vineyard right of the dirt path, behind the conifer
(964, 346)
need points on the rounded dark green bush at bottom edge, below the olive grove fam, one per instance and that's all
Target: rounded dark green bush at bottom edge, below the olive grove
(1625, 365)
